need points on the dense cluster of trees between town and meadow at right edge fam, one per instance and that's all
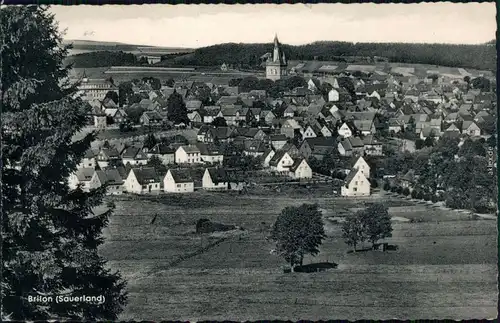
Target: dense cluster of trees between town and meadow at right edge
(463, 176)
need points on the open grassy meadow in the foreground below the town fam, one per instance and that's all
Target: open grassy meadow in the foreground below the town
(444, 267)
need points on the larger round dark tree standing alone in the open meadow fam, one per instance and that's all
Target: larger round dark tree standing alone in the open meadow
(298, 231)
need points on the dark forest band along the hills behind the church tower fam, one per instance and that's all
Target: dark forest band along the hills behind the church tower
(482, 57)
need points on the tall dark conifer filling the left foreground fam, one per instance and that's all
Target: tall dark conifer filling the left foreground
(50, 233)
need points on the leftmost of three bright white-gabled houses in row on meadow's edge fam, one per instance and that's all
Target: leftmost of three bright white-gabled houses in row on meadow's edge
(142, 180)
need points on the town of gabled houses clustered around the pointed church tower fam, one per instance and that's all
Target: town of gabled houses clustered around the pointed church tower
(352, 116)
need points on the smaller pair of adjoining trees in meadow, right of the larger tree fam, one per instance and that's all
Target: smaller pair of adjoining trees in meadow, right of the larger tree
(371, 224)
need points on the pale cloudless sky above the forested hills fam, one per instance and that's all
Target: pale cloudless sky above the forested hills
(193, 26)
